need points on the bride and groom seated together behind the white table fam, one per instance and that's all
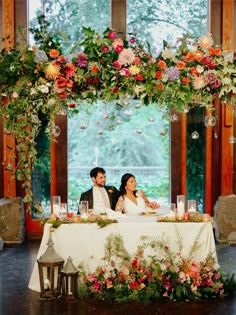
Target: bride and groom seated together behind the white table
(127, 200)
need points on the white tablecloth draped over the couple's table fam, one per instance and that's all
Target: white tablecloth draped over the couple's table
(85, 242)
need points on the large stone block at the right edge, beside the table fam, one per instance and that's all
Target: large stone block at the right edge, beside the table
(225, 219)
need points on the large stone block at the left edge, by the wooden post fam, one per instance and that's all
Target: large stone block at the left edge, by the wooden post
(12, 220)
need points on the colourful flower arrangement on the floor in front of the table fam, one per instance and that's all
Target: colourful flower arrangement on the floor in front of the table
(165, 276)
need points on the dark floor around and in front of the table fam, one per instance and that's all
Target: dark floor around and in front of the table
(16, 298)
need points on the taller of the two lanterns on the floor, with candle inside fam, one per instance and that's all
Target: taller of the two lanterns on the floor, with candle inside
(50, 265)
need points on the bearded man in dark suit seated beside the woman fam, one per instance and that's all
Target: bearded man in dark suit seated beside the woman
(100, 196)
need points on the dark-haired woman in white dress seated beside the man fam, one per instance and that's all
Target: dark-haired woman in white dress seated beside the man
(132, 200)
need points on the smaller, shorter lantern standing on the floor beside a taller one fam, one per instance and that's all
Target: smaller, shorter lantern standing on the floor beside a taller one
(69, 280)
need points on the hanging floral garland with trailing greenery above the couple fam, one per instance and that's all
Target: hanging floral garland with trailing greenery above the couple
(38, 83)
